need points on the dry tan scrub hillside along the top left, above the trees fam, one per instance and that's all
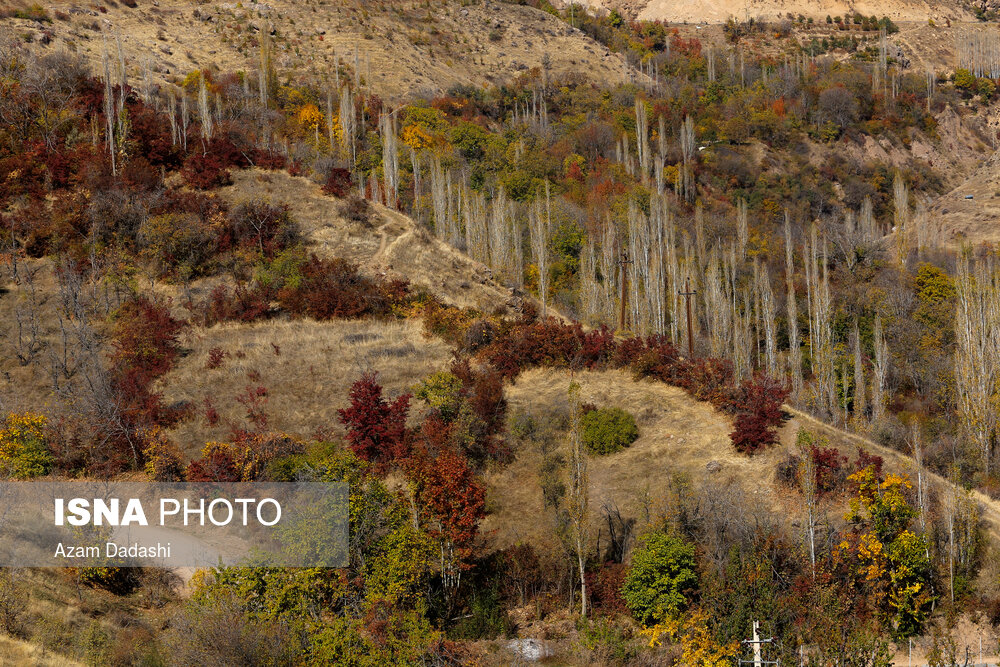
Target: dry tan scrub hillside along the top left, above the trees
(403, 46)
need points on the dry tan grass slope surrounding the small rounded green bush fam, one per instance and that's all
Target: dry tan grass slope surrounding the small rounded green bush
(677, 435)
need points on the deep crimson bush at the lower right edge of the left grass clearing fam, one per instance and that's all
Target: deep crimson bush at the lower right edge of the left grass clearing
(376, 428)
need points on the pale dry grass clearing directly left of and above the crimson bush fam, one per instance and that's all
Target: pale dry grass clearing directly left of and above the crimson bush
(306, 366)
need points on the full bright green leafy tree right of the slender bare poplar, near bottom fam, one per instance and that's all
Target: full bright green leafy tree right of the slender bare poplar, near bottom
(661, 578)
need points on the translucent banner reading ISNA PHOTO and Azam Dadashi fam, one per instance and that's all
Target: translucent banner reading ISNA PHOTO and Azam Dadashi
(137, 524)
